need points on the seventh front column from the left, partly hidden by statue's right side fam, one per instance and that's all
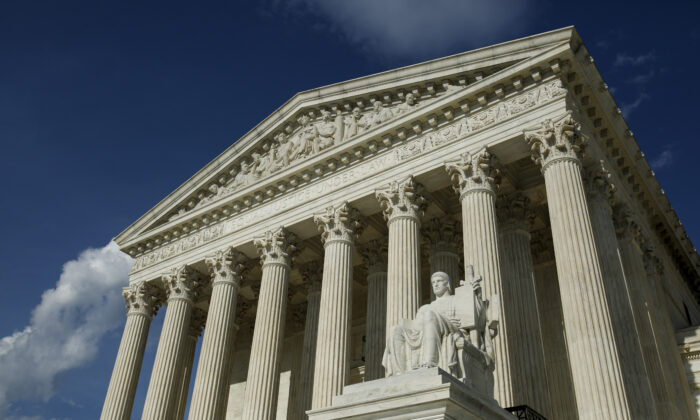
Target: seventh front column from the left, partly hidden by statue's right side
(476, 181)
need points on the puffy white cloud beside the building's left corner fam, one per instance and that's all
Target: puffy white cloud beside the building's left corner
(66, 327)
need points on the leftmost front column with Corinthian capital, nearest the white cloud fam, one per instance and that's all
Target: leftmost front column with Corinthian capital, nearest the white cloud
(142, 301)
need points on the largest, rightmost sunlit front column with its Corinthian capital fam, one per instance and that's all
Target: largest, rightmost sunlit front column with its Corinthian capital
(600, 394)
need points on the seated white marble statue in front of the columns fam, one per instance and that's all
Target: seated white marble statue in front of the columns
(454, 332)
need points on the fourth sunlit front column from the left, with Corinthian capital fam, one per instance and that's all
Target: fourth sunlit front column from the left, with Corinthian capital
(260, 401)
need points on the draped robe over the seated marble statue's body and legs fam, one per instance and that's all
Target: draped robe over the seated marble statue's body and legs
(429, 339)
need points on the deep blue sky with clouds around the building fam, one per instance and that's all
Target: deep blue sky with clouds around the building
(105, 108)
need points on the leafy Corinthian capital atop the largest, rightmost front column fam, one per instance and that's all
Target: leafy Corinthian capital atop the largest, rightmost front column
(556, 139)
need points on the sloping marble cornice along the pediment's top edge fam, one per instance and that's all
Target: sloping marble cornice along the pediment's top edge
(504, 54)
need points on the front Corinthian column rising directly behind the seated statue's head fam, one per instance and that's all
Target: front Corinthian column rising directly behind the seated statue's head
(403, 204)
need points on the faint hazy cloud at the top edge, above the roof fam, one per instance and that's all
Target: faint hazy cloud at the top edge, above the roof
(414, 28)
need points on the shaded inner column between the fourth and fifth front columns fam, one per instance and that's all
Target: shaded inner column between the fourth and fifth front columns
(312, 272)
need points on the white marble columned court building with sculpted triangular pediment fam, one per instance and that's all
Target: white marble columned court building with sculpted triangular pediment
(292, 253)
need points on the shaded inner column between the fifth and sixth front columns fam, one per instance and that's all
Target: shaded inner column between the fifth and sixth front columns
(375, 255)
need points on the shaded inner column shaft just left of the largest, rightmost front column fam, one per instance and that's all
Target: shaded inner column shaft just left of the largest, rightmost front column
(558, 368)
